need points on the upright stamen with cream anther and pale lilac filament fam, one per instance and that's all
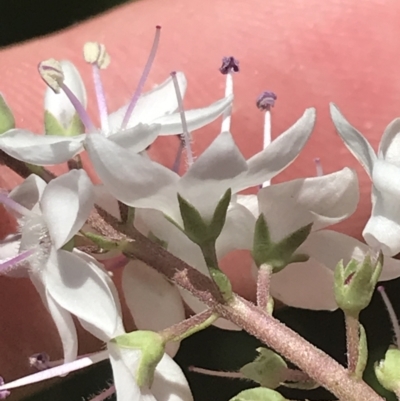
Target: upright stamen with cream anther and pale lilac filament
(96, 54)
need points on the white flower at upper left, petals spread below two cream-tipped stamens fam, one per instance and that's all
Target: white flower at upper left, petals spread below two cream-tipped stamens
(154, 115)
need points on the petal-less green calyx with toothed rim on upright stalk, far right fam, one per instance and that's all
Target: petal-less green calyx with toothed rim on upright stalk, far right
(355, 283)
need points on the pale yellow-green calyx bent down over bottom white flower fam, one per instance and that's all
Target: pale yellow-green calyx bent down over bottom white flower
(151, 345)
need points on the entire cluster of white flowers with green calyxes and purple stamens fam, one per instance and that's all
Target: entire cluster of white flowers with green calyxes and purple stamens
(72, 233)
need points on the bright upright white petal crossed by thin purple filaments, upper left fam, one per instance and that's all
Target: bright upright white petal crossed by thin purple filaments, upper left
(159, 102)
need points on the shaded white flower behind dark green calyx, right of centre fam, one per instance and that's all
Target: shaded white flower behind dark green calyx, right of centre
(323, 201)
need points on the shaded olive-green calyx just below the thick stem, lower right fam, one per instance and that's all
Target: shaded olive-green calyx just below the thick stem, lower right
(268, 369)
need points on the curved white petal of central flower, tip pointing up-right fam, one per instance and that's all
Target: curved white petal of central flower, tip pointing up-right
(279, 154)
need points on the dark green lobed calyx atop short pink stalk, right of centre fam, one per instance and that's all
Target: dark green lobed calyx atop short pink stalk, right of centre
(277, 254)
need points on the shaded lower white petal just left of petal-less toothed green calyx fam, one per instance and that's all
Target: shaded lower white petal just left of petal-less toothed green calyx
(307, 285)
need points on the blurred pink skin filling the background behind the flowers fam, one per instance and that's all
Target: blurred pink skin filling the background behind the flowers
(308, 52)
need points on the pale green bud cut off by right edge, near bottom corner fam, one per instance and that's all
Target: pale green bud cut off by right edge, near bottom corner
(388, 370)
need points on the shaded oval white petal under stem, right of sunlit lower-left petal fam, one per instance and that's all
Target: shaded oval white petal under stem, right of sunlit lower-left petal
(155, 304)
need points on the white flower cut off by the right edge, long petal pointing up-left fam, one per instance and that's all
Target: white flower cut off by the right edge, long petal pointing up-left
(382, 230)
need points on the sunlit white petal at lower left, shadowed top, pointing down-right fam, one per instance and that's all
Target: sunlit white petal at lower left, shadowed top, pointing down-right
(84, 290)
